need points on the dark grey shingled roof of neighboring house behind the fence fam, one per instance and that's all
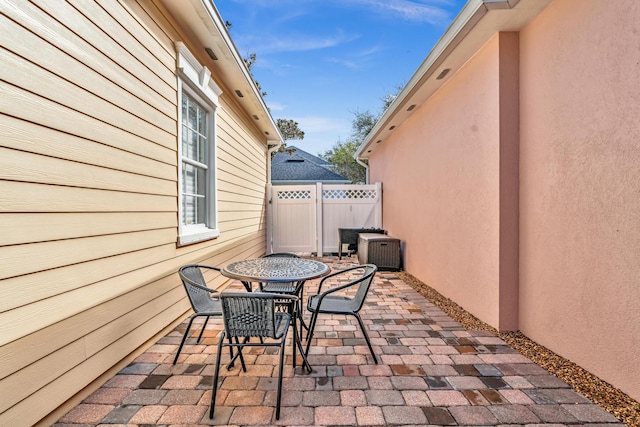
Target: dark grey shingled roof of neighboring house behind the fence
(300, 167)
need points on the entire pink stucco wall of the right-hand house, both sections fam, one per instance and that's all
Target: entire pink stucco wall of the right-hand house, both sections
(516, 188)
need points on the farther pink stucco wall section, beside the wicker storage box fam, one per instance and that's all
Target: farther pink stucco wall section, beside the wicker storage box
(440, 175)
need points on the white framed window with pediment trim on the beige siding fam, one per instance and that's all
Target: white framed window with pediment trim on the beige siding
(197, 176)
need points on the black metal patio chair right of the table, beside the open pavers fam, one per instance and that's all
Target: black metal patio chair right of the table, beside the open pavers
(328, 302)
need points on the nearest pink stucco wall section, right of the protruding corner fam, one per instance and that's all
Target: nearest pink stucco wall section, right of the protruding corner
(580, 186)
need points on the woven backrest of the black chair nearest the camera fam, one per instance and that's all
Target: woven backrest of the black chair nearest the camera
(249, 314)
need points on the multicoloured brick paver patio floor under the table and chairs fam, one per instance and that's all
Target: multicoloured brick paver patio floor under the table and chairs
(432, 371)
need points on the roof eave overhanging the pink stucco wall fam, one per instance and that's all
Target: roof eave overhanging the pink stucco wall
(477, 22)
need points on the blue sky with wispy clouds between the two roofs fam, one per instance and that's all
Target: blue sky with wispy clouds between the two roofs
(321, 60)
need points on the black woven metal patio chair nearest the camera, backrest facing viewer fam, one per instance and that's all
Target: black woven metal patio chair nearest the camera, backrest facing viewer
(248, 315)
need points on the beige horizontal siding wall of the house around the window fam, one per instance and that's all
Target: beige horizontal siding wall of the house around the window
(88, 193)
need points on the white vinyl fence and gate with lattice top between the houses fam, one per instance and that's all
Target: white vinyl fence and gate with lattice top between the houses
(306, 218)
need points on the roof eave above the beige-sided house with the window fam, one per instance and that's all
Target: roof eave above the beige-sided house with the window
(202, 22)
